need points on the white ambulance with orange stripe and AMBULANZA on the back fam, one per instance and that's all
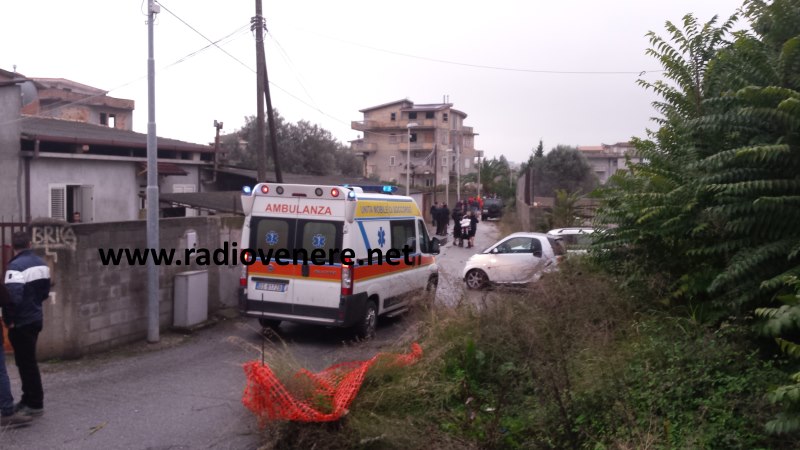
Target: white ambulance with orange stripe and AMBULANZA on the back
(332, 255)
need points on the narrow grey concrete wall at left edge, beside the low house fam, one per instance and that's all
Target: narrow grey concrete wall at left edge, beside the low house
(11, 169)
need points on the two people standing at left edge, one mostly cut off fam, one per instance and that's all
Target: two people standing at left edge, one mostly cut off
(26, 287)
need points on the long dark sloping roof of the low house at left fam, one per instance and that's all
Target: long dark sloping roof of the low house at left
(67, 131)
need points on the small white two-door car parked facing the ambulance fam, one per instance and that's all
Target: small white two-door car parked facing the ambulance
(517, 258)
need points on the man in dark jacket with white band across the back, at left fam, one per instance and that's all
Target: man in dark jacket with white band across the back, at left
(28, 281)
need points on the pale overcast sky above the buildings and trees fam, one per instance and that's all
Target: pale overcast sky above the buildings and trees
(329, 59)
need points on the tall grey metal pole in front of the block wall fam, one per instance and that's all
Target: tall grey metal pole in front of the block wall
(152, 181)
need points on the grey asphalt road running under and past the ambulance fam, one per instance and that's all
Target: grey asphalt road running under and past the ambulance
(185, 392)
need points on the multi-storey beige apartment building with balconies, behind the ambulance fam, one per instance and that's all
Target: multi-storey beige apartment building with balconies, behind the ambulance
(426, 142)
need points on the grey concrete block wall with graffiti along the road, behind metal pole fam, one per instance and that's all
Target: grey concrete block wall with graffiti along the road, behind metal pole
(93, 307)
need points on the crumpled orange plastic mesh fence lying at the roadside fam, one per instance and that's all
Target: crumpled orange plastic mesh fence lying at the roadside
(316, 397)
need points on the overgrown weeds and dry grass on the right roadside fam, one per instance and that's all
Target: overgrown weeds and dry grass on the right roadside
(568, 362)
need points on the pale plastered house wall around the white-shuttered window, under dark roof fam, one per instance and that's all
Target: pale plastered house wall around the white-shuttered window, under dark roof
(115, 188)
